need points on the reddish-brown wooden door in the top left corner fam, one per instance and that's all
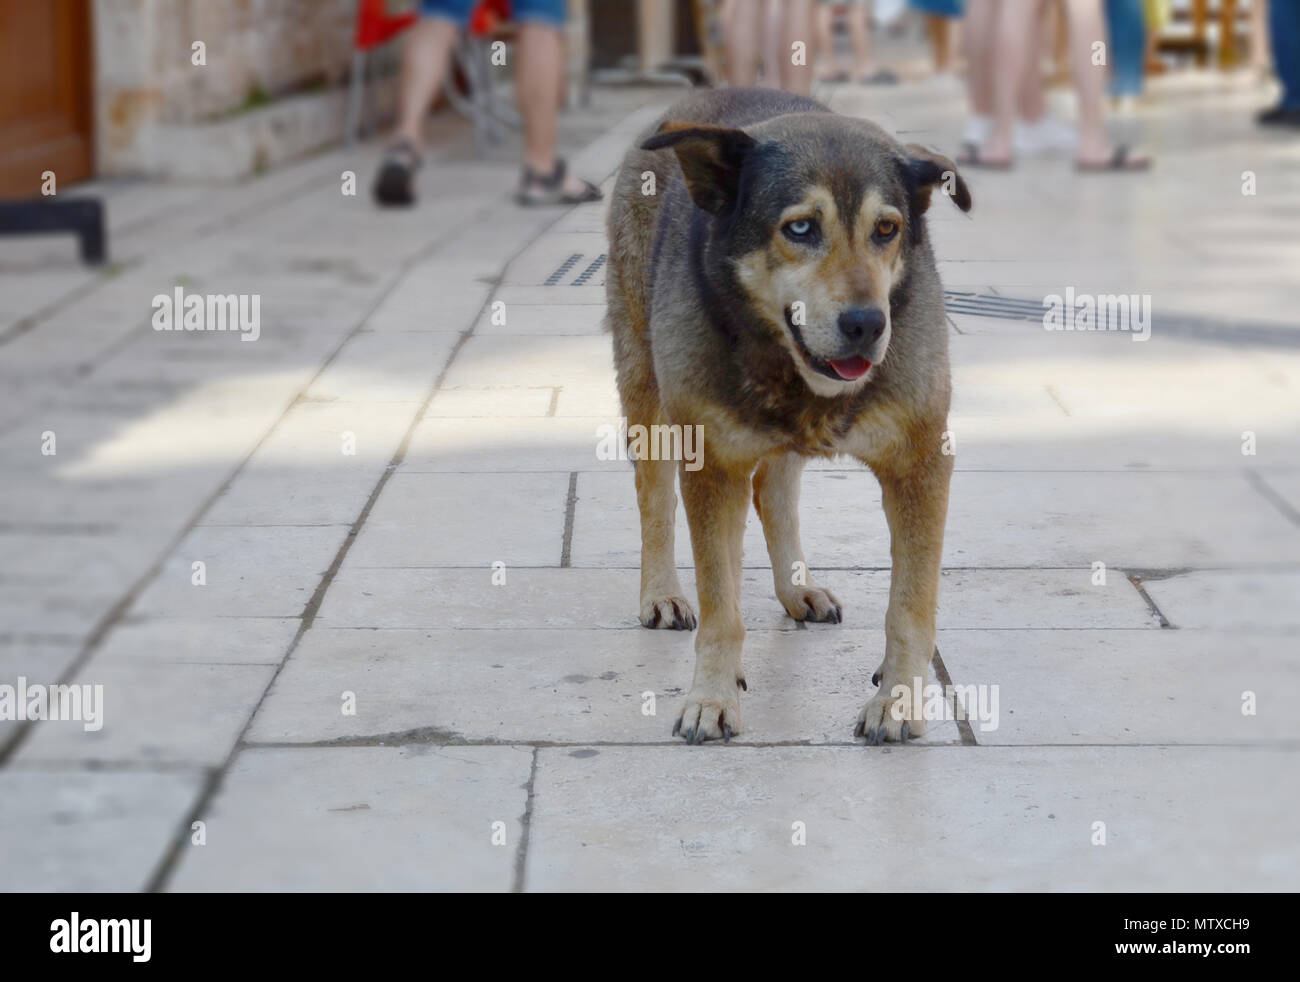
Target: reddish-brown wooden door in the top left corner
(45, 94)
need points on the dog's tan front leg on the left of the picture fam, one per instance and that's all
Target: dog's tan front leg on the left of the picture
(717, 500)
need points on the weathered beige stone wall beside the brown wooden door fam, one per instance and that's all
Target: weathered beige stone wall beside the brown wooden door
(270, 67)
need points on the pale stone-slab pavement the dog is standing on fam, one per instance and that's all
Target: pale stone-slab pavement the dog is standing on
(418, 667)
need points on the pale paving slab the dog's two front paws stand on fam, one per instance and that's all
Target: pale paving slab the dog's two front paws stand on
(564, 686)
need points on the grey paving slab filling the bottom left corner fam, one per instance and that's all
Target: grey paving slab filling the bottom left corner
(76, 832)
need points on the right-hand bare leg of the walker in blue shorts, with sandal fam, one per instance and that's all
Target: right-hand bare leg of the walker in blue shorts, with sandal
(539, 72)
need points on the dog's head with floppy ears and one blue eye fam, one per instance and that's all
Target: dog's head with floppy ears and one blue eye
(818, 215)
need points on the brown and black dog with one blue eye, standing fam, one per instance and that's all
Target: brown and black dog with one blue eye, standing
(708, 267)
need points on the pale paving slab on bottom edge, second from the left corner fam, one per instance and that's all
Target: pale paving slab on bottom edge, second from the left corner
(410, 819)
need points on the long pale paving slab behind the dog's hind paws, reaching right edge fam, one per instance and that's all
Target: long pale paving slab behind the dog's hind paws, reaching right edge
(995, 520)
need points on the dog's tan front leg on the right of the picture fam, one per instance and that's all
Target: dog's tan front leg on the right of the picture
(916, 503)
